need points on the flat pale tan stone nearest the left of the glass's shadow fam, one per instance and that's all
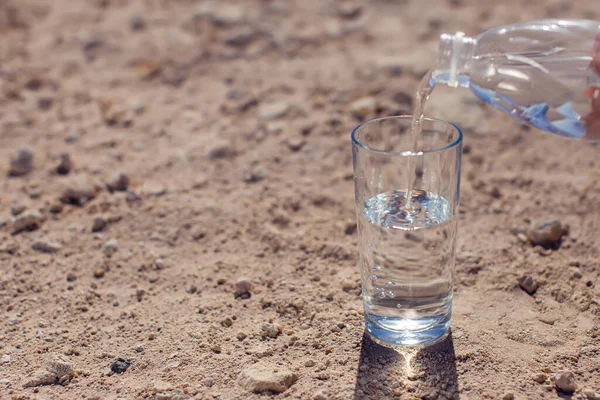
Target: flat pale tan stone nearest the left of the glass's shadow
(264, 377)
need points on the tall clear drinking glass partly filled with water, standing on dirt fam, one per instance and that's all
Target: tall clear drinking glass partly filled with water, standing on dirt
(407, 248)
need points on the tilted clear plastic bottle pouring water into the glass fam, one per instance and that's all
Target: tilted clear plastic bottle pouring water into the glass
(545, 73)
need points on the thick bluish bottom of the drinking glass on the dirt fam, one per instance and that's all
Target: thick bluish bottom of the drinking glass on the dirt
(398, 338)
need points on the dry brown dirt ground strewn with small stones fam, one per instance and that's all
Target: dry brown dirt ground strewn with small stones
(178, 220)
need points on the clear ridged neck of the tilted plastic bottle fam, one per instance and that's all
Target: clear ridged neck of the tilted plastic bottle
(454, 53)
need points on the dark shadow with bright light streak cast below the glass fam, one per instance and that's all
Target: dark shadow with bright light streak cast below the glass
(426, 373)
